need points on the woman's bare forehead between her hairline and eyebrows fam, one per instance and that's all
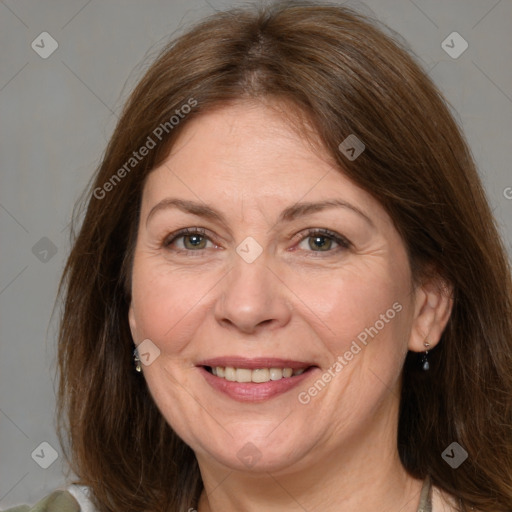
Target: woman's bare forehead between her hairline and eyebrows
(248, 149)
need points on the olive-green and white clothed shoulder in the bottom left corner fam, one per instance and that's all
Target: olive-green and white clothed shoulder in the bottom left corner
(73, 499)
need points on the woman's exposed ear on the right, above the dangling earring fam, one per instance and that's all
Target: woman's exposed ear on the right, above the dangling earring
(433, 306)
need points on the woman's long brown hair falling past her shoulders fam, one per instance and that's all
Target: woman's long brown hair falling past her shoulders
(348, 77)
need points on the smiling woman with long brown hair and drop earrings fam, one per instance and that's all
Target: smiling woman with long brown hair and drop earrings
(289, 228)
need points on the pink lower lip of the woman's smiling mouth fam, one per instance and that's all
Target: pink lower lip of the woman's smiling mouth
(252, 391)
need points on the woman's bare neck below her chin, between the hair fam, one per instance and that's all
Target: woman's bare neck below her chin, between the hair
(363, 474)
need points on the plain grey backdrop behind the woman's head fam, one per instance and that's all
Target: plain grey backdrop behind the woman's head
(58, 113)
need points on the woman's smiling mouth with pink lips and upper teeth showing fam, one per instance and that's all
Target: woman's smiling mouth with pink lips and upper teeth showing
(254, 380)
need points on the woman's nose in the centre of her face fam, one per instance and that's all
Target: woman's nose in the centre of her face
(252, 298)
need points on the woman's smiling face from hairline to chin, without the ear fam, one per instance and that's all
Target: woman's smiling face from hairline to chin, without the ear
(285, 266)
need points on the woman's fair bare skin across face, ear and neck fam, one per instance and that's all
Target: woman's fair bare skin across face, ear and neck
(337, 452)
